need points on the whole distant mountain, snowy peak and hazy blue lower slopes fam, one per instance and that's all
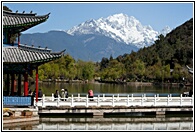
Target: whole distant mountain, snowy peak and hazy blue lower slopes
(94, 39)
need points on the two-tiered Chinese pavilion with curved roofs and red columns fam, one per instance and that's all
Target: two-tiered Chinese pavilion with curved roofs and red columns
(22, 59)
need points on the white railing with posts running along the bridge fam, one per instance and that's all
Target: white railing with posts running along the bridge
(114, 101)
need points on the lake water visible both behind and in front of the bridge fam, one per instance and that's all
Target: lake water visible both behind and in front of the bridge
(123, 122)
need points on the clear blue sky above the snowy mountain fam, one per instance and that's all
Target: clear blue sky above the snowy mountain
(65, 15)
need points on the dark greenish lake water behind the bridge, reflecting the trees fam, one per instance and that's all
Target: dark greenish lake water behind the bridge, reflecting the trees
(102, 88)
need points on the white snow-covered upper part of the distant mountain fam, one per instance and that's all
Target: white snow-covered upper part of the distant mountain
(120, 27)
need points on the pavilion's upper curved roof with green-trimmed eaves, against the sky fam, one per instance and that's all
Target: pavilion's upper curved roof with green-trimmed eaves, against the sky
(18, 22)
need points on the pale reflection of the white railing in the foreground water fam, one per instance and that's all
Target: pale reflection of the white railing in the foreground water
(118, 126)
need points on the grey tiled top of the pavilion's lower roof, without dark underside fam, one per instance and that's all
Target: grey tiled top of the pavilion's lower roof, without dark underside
(28, 54)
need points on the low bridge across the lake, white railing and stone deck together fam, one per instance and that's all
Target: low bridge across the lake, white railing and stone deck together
(100, 105)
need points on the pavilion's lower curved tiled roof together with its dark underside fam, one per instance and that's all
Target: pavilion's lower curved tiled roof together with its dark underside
(25, 58)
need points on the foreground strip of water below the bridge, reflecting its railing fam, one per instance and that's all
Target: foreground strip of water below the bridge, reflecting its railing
(99, 123)
